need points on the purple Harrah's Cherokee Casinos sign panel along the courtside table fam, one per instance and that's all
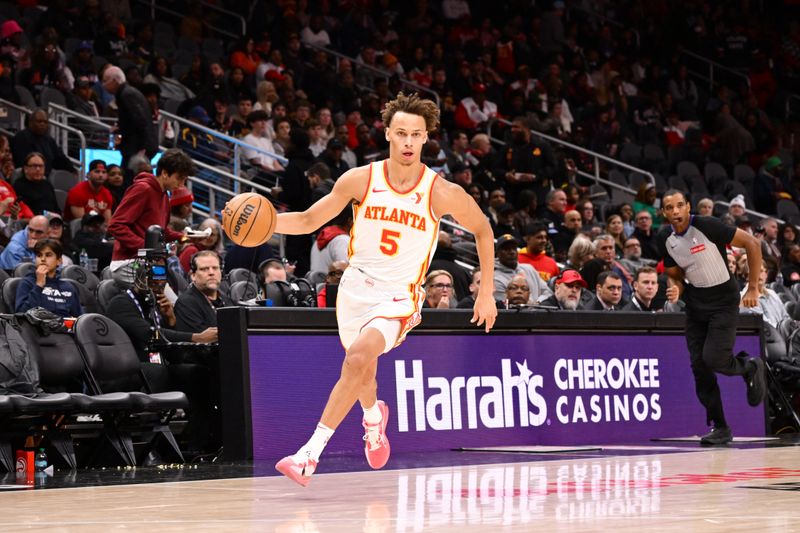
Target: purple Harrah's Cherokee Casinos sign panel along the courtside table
(449, 391)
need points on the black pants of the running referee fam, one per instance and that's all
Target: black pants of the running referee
(710, 336)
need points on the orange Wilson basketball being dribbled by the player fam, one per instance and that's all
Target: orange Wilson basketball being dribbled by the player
(249, 219)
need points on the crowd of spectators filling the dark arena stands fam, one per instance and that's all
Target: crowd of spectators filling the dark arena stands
(606, 76)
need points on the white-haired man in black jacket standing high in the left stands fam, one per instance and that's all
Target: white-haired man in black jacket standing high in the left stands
(138, 133)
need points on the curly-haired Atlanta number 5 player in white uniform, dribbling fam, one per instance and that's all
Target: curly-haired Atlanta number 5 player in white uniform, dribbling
(397, 204)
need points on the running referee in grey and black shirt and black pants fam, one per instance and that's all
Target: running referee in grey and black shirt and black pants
(694, 258)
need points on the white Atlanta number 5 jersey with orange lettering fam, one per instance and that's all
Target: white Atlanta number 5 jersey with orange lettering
(394, 234)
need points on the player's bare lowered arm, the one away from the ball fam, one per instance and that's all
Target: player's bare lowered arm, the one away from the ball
(450, 199)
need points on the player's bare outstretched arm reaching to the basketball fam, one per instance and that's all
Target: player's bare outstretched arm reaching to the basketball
(350, 186)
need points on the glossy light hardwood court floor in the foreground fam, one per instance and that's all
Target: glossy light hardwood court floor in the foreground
(625, 489)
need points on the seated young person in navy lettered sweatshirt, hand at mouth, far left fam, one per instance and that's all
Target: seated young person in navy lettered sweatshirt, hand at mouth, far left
(44, 287)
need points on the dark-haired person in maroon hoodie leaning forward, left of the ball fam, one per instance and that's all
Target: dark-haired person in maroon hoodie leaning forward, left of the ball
(146, 203)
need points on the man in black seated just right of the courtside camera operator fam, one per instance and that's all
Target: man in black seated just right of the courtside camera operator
(196, 308)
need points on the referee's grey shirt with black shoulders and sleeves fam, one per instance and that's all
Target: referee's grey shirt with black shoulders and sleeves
(699, 251)
